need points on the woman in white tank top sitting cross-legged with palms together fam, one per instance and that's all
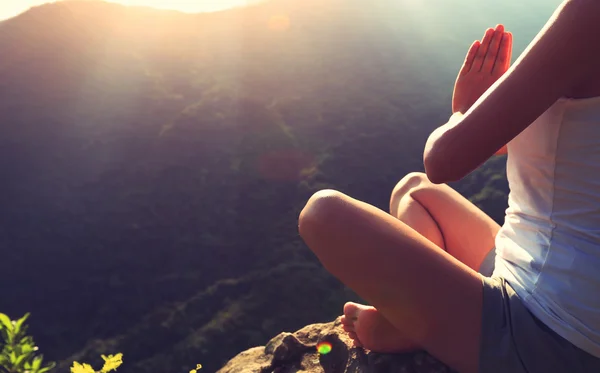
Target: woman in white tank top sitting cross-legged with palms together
(418, 266)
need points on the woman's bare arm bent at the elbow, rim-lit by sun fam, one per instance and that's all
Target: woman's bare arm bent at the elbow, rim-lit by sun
(560, 57)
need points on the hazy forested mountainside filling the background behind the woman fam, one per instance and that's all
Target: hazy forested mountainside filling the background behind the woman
(150, 156)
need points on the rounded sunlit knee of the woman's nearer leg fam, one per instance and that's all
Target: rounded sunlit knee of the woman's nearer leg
(321, 208)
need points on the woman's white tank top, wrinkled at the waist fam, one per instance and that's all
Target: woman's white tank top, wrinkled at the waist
(549, 247)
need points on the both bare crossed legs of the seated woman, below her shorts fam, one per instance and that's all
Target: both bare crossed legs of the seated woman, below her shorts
(417, 267)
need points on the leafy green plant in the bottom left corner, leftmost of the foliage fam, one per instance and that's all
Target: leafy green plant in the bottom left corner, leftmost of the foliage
(18, 352)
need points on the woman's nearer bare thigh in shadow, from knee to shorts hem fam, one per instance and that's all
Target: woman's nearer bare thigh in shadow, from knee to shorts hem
(426, 293)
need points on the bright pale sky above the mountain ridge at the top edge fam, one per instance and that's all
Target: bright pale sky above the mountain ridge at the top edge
(11, 8)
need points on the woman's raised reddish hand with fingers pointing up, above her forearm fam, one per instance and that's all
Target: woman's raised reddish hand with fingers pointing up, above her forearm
(485, 63)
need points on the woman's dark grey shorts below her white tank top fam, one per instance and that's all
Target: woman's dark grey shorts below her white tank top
(513, 340)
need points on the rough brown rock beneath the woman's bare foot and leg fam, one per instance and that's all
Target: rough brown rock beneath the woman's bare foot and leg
(296, 352)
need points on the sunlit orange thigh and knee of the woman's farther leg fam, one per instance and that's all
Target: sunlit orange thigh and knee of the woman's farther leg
(468, 232)
